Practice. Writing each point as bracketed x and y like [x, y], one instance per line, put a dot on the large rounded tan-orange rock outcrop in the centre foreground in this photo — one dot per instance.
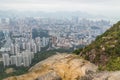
[58, 67]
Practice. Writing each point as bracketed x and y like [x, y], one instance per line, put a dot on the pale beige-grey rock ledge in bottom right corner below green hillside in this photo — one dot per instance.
[105, 75]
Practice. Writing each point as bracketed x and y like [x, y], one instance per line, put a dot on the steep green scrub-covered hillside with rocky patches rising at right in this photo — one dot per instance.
[105, 50]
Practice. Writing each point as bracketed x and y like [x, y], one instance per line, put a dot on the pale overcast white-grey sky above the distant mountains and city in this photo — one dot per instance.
[104, 7]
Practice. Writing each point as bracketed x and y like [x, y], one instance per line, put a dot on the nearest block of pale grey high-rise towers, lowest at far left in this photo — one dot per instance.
[21, 59]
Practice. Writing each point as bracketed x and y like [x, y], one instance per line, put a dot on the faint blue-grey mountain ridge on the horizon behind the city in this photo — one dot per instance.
[59, 14]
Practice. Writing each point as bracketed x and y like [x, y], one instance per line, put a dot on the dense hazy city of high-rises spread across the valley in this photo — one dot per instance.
[24, 37]
